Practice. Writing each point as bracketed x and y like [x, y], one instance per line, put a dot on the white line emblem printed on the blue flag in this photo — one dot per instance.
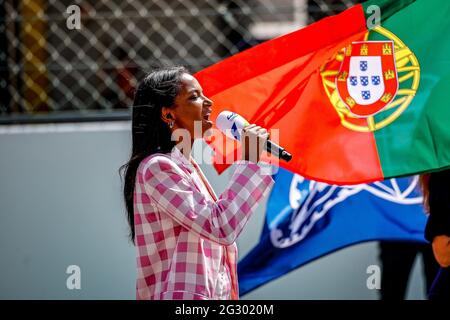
[310, 203]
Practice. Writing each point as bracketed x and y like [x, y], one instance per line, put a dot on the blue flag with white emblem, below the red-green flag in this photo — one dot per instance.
[306, 220]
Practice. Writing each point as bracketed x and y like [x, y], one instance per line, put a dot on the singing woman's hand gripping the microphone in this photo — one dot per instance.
[253, 139]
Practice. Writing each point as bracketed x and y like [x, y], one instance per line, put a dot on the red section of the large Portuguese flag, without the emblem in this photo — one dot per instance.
[278, 85]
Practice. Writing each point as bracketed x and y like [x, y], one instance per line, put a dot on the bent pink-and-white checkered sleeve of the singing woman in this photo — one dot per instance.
[222, 221]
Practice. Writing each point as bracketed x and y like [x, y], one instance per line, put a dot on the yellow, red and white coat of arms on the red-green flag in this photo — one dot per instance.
[370, 83]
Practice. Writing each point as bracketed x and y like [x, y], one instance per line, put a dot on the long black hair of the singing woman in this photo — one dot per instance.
[149, 133]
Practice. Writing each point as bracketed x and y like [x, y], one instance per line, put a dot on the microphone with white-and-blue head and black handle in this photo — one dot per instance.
[231, 124]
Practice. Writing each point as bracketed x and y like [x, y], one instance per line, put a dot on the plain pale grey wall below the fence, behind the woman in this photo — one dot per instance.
[61, 205]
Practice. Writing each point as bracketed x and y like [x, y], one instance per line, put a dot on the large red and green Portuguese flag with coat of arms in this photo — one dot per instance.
[357, 97]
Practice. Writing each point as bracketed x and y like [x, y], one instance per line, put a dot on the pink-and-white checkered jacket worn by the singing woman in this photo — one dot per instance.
[185, 236]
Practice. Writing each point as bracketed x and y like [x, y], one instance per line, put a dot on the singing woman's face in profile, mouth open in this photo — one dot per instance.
[191, 106]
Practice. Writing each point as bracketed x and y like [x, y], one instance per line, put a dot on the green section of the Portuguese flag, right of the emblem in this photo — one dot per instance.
[419, 139]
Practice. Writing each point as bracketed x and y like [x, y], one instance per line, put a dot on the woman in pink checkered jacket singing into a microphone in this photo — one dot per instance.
[184, 234]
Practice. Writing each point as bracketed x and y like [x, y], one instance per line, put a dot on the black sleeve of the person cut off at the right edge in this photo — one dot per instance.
[439, 200]
